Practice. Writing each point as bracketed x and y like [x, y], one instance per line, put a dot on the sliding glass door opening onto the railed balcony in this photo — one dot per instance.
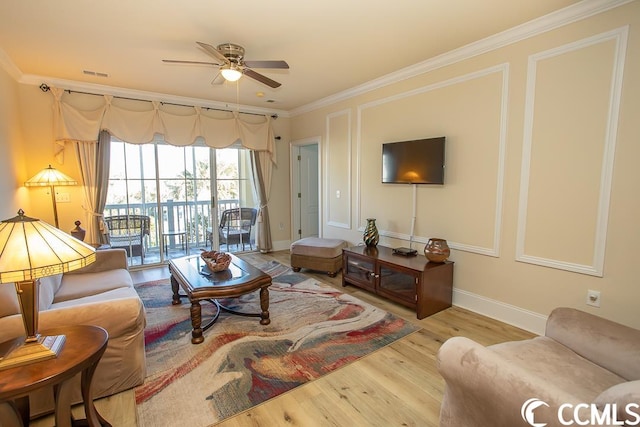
[183, 192]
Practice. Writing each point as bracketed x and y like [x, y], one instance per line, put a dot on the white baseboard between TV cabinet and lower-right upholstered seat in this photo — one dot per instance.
[516, 316]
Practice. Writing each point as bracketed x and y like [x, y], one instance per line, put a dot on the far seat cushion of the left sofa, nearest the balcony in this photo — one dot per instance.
[75, 286]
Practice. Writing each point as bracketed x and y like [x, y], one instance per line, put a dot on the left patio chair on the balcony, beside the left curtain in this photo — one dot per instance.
[128, 232]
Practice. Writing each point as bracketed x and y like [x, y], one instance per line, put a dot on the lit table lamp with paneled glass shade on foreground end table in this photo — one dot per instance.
[31, 249]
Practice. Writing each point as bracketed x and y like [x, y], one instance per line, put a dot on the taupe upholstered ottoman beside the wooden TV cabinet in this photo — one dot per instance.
[319, 254]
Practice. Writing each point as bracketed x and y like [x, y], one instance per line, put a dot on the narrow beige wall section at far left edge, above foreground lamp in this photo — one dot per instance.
[12, 171]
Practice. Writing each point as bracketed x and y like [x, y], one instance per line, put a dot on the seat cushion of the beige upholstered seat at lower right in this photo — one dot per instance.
[558, 365]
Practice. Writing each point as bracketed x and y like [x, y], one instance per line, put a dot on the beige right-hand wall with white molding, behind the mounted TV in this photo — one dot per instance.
[540, 202]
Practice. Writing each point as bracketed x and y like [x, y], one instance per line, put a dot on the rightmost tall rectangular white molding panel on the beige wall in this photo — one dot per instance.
[571, 118]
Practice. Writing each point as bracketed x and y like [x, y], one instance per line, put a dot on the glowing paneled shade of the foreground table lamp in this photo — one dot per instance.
[30, 249]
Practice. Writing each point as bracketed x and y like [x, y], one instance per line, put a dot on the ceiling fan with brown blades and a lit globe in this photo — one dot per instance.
[232, 65]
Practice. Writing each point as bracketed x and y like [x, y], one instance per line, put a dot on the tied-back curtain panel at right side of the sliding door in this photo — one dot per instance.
[261, 168]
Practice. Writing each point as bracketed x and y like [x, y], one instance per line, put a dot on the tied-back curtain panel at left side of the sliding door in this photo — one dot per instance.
[93, 159]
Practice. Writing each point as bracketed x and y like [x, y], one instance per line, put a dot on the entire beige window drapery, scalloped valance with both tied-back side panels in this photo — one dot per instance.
[137, 122]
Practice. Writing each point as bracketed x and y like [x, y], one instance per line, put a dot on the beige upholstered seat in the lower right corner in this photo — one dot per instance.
[583, 361]
